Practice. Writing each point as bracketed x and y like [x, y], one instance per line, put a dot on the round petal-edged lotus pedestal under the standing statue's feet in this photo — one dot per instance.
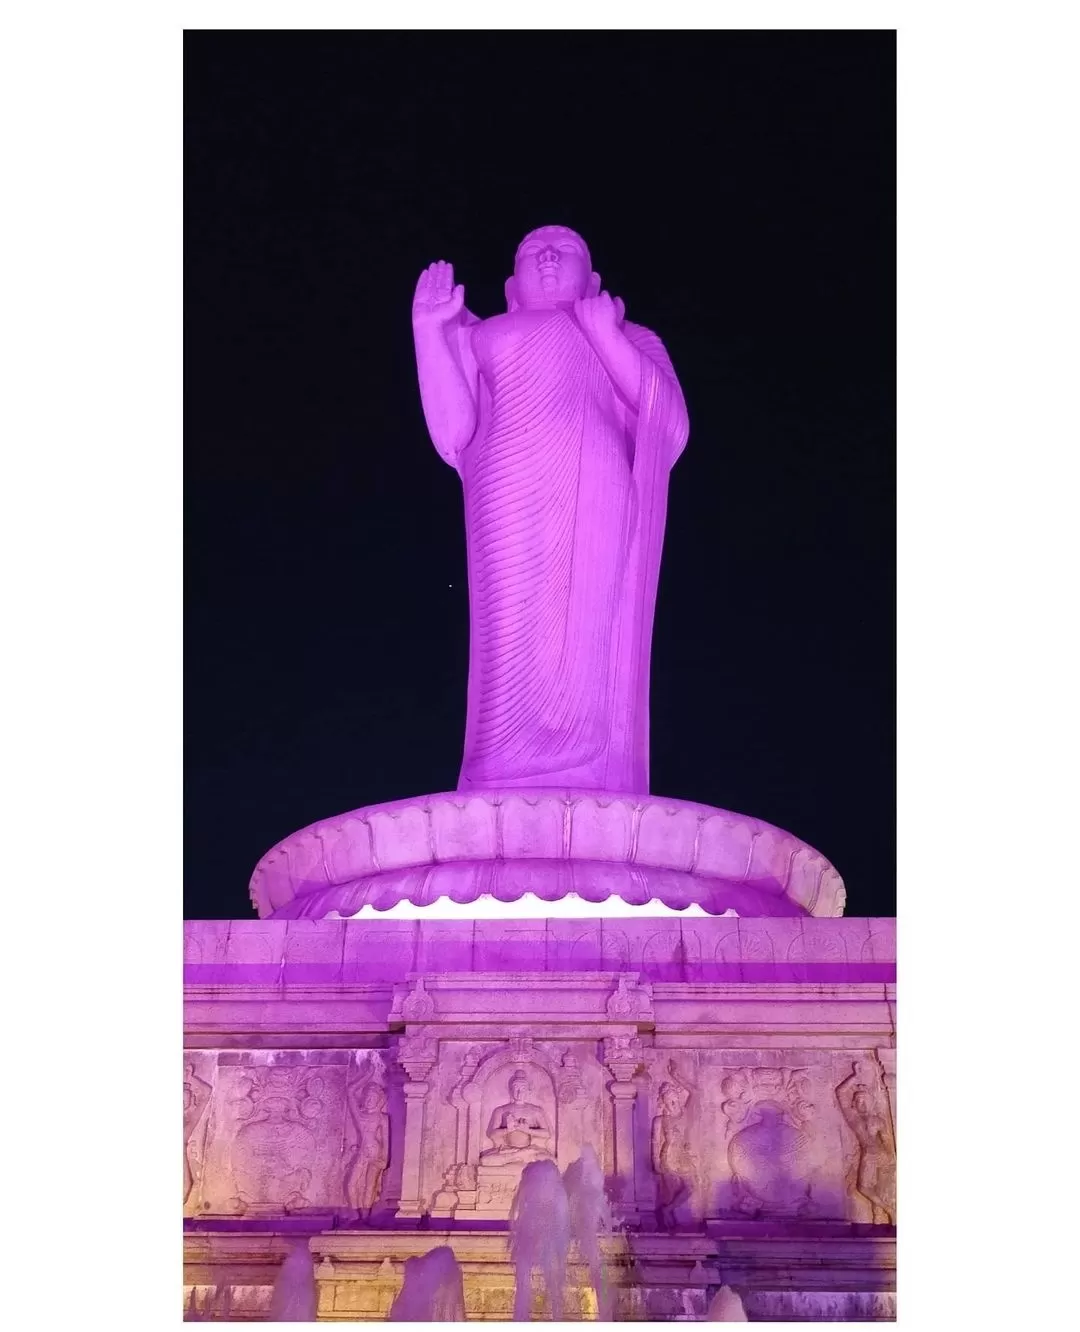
[500, 845]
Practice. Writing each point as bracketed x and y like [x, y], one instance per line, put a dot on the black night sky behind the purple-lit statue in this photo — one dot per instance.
[737, 190]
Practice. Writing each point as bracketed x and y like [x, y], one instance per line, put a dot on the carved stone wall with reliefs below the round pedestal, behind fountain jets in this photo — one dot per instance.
[736, 1077]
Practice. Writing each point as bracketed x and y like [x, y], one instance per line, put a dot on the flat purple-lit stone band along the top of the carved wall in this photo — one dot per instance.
[774, 950]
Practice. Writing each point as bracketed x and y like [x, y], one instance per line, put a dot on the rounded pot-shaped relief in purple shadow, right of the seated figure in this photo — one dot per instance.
[770, 1150]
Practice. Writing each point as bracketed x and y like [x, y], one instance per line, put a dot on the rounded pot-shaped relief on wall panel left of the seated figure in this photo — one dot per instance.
[274, 1149]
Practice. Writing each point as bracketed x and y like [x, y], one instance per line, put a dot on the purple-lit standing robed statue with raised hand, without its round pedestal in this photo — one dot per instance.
[564, 422]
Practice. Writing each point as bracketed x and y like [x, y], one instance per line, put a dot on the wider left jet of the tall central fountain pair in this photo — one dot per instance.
[540, 1238]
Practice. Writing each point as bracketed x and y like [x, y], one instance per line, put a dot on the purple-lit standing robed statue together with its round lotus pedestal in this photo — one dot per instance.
[564, 422]
